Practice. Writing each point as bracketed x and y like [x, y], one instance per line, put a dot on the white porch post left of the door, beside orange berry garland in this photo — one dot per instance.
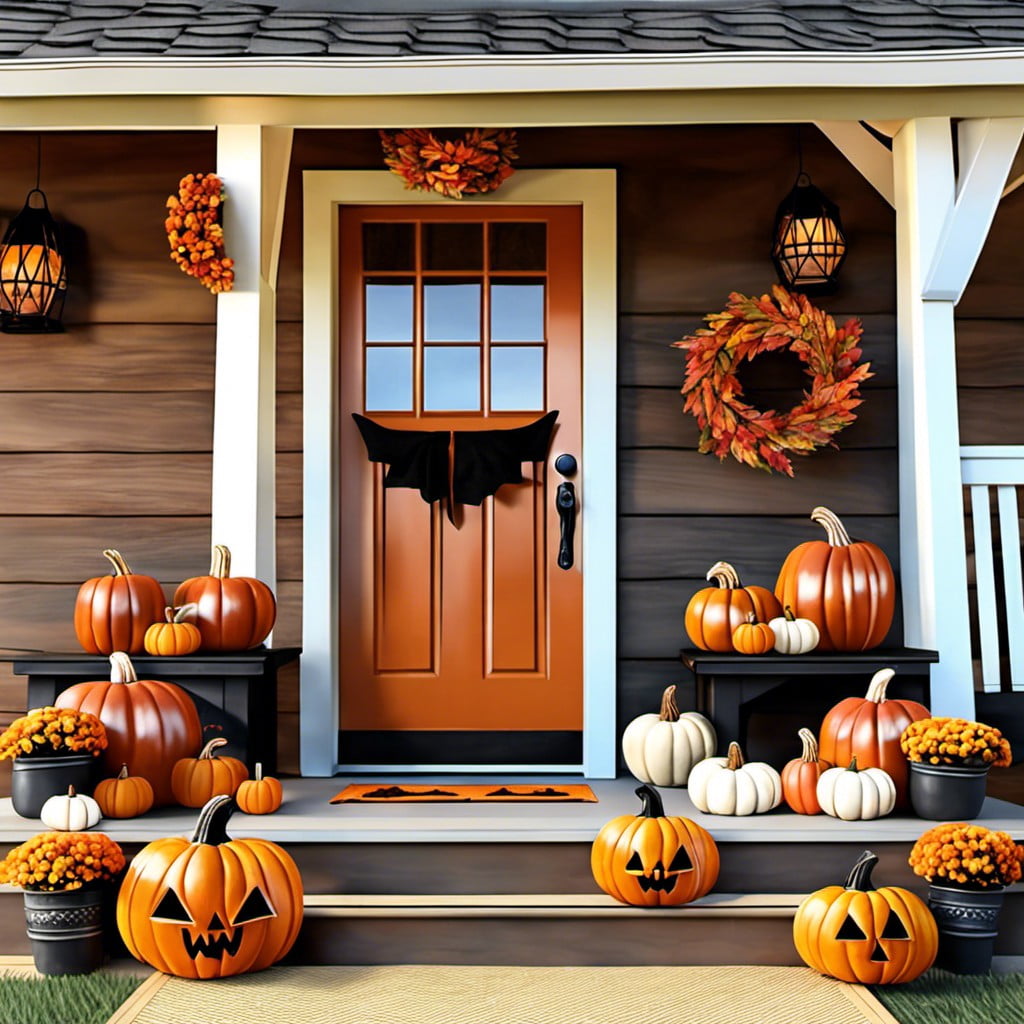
[252, 161]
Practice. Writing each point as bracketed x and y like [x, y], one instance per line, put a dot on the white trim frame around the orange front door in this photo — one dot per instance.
[324, 192]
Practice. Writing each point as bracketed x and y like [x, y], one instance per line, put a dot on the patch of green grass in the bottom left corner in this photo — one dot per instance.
[73, 999]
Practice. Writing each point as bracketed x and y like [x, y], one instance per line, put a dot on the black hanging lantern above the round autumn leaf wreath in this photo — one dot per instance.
[808, 244]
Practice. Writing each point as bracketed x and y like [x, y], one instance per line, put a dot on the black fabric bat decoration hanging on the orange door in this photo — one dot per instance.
[483, 460]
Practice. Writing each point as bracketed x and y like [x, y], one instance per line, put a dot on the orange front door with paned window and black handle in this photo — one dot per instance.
[460, 642]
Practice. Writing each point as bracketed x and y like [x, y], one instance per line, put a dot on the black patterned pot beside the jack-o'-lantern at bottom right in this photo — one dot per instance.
[968, 924]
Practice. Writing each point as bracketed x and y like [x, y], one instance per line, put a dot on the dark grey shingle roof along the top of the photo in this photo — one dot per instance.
[33, 29]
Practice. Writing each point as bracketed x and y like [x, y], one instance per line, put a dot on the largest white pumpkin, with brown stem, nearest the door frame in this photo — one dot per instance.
[663, 749]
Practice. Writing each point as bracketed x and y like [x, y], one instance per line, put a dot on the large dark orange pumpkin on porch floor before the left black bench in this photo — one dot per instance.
[150, 723]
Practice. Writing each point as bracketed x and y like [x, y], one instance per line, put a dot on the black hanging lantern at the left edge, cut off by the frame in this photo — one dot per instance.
[33, 276]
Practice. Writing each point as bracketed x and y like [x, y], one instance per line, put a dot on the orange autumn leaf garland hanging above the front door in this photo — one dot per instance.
[479, 162]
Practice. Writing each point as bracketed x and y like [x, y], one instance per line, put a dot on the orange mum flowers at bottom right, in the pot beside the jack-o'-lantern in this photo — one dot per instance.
[972, 857]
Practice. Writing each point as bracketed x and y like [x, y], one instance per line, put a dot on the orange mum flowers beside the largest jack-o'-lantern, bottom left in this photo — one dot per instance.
[58, 861]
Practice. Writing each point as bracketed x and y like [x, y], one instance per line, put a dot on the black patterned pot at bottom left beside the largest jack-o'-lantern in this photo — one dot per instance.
[66, 930]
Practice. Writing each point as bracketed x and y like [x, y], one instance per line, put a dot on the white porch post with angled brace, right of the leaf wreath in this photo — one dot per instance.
[942, 225]
